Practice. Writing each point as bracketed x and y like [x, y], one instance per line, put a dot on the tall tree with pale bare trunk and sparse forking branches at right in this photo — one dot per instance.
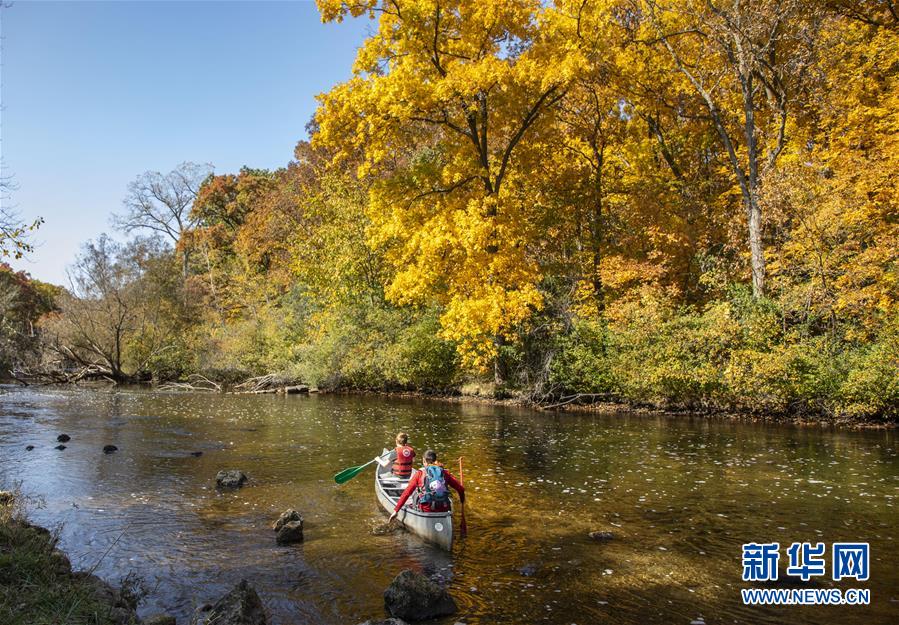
[745, 61]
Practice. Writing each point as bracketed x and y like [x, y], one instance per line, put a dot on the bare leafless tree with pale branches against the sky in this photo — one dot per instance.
[162, 204]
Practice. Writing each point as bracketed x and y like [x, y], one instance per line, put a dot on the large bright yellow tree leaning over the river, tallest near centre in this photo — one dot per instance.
[446, 100]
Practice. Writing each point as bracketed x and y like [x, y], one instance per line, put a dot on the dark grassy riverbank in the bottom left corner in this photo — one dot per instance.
[39, 587]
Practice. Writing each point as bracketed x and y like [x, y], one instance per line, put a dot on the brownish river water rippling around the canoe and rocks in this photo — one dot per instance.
[681, 496]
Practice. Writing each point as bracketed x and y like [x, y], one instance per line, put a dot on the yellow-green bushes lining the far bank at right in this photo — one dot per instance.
[731, 354]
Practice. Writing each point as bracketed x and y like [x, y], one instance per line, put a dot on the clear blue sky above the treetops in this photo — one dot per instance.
[96, 93]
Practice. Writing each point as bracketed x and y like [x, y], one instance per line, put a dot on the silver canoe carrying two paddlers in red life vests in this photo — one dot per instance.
[434, 527]
